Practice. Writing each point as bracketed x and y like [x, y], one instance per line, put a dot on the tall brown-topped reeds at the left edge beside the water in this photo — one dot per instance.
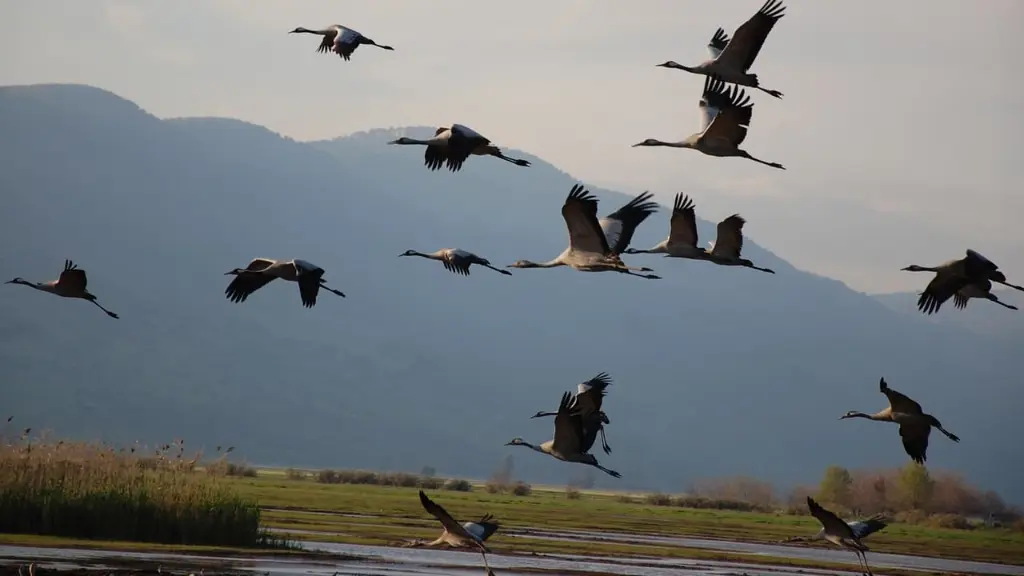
[91, 490]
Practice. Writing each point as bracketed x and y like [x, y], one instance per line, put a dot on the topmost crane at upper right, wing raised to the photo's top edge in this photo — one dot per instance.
[732, 60]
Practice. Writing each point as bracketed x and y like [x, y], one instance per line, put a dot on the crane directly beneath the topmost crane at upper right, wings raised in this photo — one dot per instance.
[726, 119]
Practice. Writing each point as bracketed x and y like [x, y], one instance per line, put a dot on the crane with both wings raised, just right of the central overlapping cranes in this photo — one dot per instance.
[682, 240]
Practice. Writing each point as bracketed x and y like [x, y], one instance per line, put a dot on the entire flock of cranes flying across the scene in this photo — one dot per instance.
[596, 245]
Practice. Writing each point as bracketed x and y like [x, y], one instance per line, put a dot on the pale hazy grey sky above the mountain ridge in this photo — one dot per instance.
[898, 125]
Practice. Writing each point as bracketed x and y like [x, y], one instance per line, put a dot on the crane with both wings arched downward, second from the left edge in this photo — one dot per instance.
[262, 272]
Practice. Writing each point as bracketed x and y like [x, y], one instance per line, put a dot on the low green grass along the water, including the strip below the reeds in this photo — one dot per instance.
[362, 514]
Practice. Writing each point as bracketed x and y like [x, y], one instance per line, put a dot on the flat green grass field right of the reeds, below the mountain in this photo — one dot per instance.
[395, 515]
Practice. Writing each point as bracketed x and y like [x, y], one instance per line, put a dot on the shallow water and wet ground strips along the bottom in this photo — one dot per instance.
[356, 560]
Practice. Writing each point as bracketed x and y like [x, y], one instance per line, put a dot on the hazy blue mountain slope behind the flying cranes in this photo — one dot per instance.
[717, 372]
